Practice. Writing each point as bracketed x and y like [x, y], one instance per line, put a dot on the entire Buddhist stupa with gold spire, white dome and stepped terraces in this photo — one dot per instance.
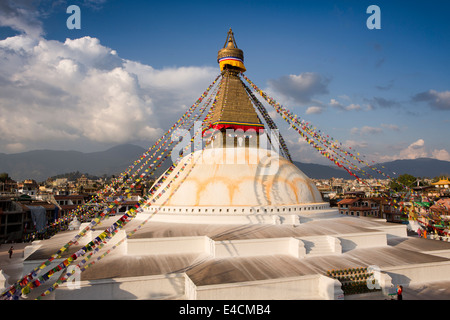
[241, 221]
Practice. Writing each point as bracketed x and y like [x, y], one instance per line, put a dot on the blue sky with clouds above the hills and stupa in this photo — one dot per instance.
[383, 92]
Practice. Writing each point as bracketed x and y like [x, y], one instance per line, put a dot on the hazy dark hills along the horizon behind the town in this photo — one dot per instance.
[41, 164]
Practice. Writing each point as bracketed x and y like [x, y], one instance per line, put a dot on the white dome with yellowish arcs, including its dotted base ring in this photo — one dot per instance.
[229, 182]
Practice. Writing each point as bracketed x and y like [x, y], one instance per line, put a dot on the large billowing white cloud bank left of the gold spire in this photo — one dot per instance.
[80, 90]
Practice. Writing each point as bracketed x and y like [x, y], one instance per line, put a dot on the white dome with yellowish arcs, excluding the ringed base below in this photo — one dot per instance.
[238, 177]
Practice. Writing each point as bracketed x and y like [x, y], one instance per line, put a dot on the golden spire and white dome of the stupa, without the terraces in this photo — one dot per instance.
[237, 177]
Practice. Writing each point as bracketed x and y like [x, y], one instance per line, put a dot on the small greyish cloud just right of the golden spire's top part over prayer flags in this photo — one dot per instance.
[300, 88]
